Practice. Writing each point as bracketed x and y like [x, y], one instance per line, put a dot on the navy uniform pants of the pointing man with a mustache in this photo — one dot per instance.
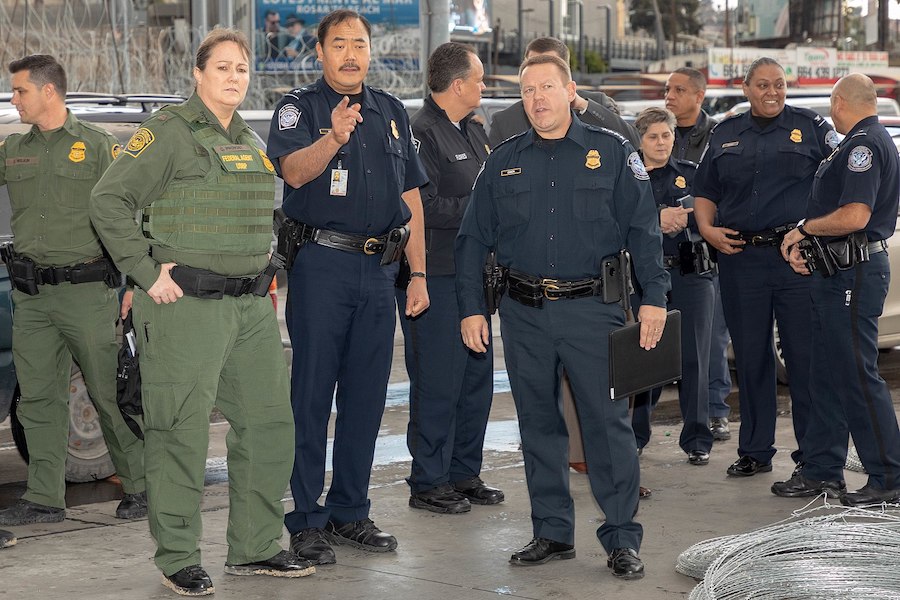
[341, 314]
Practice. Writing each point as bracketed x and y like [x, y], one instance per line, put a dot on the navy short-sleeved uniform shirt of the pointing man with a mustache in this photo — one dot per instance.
[380, 159]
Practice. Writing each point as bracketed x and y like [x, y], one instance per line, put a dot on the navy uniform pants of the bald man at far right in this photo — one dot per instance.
[850, 394]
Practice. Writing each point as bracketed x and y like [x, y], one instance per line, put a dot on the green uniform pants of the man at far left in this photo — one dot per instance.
[50, 328]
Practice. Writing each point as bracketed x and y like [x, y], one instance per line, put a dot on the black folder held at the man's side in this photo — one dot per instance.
[633, 370]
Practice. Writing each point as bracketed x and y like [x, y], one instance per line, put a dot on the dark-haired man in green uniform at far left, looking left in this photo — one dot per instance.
[66, 304]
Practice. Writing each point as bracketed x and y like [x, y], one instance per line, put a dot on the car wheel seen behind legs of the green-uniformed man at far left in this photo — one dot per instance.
[88, 458]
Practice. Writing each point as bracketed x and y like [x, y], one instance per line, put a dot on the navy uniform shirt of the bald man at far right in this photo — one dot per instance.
[865, 168]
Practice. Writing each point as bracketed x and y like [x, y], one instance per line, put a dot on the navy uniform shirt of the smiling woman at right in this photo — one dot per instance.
[761, 178]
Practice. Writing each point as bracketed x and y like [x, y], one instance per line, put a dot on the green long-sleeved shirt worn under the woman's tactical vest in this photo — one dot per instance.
[162, 151]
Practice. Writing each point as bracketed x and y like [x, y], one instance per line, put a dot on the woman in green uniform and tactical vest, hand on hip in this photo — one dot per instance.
[207, 335]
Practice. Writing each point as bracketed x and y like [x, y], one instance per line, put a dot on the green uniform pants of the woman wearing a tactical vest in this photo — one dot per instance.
[196, 354]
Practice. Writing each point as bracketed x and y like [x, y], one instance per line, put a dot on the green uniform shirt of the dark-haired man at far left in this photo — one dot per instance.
[50, 177]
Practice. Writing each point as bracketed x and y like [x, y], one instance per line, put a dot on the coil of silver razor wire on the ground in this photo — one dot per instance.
[848, 554]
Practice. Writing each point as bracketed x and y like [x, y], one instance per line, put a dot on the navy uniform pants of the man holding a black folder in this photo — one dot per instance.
[538, 343]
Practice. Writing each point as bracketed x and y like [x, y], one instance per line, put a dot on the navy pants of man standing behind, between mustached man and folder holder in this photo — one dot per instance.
[450, 391]
